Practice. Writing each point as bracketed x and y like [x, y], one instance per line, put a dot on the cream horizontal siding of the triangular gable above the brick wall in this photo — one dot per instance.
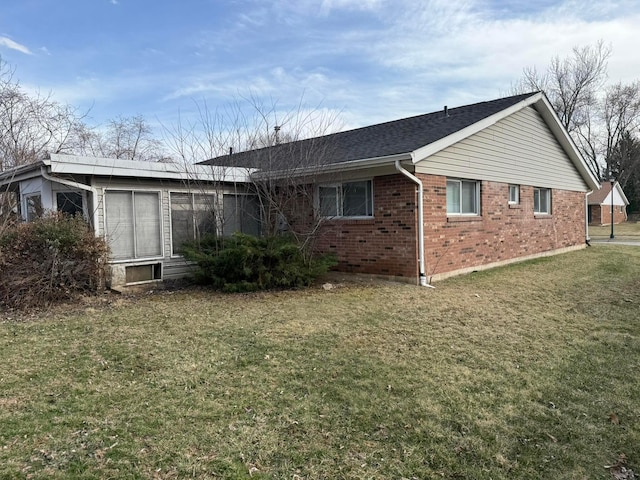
[519, 149]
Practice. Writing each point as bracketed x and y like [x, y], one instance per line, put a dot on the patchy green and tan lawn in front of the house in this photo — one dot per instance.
[528, 371]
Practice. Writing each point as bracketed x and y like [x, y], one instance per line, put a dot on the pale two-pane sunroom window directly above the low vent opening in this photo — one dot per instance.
[133, 224]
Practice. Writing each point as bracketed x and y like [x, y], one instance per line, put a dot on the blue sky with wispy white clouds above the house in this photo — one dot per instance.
[366, 61]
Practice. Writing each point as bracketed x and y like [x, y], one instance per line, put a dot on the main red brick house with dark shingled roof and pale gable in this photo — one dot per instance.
[449, 192]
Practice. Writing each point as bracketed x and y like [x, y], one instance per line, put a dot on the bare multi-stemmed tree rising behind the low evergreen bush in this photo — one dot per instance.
[285, 149]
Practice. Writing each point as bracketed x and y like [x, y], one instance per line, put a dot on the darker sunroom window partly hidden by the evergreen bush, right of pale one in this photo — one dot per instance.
[192, 216]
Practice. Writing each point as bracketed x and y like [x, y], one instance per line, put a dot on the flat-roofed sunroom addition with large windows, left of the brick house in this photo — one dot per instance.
[145, 210]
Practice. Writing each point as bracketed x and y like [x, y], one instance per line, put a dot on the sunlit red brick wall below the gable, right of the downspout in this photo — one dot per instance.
[502, 232]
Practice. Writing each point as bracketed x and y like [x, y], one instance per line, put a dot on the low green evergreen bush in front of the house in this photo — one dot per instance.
[243, 263]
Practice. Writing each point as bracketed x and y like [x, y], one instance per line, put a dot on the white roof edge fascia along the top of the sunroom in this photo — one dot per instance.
[112, 167]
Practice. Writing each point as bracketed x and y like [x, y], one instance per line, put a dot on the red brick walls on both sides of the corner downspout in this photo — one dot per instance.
[387, 244]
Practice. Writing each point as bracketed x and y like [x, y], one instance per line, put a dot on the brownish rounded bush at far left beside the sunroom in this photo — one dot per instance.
[51, 259]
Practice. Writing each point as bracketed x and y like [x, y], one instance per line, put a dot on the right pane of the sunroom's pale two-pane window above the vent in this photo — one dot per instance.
[147, 218]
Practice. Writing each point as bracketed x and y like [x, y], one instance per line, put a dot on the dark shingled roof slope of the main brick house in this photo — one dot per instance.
[384, 139]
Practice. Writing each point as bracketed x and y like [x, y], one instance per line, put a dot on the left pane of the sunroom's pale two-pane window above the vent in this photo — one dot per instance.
[119, 223]
